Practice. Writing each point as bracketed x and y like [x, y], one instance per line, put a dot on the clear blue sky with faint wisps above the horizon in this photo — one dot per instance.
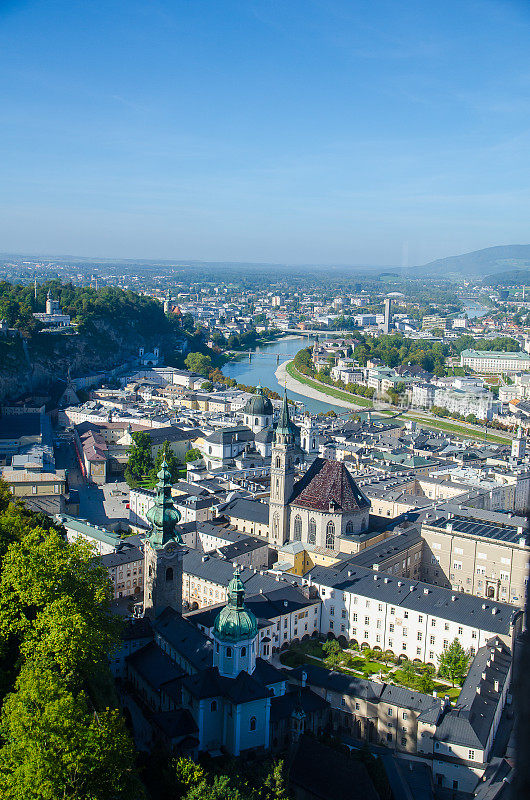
[322, 131]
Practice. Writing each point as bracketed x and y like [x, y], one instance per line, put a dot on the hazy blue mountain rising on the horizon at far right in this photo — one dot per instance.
[492, 261]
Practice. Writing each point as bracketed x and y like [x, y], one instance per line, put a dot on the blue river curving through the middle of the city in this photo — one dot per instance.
[264, 365]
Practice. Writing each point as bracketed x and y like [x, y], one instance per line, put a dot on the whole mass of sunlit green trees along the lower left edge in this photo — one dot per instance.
[61, 735]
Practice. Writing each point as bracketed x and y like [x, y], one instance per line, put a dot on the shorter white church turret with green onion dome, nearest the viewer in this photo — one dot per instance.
[235, 633]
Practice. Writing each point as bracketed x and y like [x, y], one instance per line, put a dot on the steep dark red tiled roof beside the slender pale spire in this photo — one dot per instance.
[328, 482]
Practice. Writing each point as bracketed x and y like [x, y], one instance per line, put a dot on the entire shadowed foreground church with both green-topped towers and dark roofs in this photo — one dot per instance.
[200, 694]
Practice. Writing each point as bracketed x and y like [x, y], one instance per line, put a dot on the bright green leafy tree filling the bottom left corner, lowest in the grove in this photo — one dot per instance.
[56, 745]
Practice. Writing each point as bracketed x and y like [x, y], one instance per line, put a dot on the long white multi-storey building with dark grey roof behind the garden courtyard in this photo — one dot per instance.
[407, 617]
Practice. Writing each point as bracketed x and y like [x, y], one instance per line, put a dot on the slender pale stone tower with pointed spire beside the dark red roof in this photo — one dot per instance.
[282, 477]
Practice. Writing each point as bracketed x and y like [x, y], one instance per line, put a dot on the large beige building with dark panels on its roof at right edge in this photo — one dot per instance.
[485, 555]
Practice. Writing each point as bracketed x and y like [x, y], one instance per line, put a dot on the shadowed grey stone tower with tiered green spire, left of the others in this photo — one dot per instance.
[163, 551]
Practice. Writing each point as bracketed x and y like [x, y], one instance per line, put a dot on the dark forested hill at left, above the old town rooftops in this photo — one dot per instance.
[111, 325]
